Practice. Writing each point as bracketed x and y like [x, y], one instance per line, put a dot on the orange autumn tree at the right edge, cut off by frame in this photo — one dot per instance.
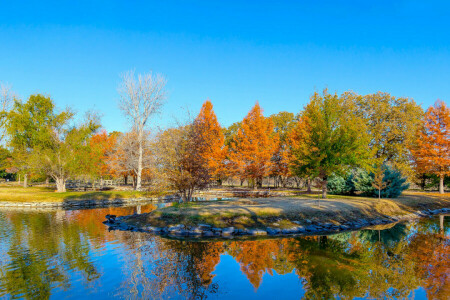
[432, 149]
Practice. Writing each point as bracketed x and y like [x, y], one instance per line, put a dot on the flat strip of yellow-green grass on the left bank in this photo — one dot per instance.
[43, 194]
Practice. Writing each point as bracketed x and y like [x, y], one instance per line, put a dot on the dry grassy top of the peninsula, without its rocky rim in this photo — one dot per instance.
[285, 212]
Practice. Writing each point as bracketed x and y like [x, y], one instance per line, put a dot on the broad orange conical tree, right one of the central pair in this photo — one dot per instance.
[253, 147]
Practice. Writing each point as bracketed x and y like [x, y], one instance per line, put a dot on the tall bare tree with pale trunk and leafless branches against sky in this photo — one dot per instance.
[140, 99]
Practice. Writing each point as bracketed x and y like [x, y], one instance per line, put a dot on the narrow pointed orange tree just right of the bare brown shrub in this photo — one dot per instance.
[213, 148]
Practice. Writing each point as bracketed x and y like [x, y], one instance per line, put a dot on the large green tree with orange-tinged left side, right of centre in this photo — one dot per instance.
[331, 138]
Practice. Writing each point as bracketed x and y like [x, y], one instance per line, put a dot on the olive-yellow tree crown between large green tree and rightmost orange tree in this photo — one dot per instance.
[391, 123]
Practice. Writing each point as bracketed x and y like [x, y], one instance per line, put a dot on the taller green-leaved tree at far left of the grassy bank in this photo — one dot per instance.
[31, 126]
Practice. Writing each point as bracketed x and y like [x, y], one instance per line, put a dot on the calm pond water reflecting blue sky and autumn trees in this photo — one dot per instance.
[71, 254]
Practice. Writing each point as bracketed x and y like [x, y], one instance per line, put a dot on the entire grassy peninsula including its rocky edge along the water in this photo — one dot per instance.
[278, 216]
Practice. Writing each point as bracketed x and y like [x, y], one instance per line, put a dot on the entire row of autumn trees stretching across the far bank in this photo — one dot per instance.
[334, 139]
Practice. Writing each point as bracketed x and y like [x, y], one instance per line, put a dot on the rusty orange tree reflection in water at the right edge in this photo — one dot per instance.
[431, 253]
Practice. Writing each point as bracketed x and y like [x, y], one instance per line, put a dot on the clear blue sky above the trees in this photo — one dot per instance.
[232, 52]
